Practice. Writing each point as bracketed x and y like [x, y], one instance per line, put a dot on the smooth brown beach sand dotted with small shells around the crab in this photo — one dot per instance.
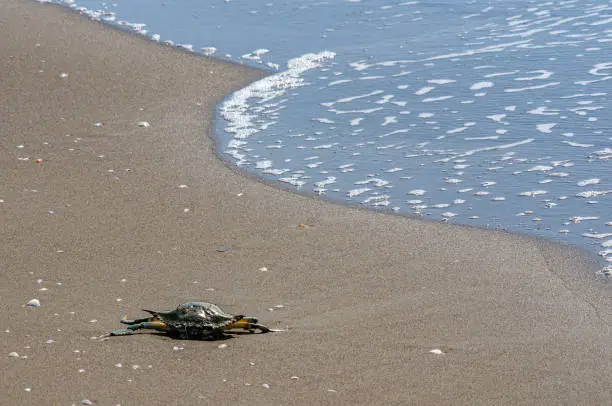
[366, 296]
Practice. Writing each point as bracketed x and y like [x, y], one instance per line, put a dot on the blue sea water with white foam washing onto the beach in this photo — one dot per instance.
[491, 113]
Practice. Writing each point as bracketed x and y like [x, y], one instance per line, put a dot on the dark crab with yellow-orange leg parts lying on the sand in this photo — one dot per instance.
[194, 320]
